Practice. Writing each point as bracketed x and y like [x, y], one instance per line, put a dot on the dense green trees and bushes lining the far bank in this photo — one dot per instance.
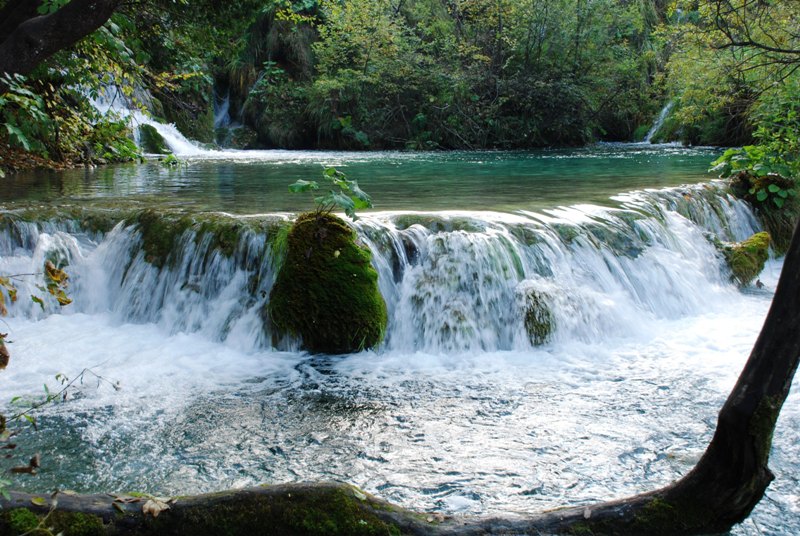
[418, 74]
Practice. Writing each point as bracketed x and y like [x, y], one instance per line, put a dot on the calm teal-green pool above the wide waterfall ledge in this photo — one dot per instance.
[248, 182]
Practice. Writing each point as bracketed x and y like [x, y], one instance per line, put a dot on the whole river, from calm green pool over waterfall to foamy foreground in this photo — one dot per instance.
[459, 411]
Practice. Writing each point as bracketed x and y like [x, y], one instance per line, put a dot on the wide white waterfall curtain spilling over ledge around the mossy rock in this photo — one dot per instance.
[453, 282]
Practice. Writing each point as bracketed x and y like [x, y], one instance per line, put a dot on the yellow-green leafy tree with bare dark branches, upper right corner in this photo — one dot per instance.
[728, 58]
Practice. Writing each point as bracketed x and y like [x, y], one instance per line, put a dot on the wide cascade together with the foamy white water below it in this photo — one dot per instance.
[531, 359]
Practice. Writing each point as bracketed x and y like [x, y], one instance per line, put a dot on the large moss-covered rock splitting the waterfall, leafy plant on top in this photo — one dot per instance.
[326, 292]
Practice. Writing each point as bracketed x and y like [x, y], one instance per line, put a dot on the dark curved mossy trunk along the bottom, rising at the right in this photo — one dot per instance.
[719, 492]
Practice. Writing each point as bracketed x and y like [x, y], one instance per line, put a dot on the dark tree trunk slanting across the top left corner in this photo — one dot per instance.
[34, 38]
